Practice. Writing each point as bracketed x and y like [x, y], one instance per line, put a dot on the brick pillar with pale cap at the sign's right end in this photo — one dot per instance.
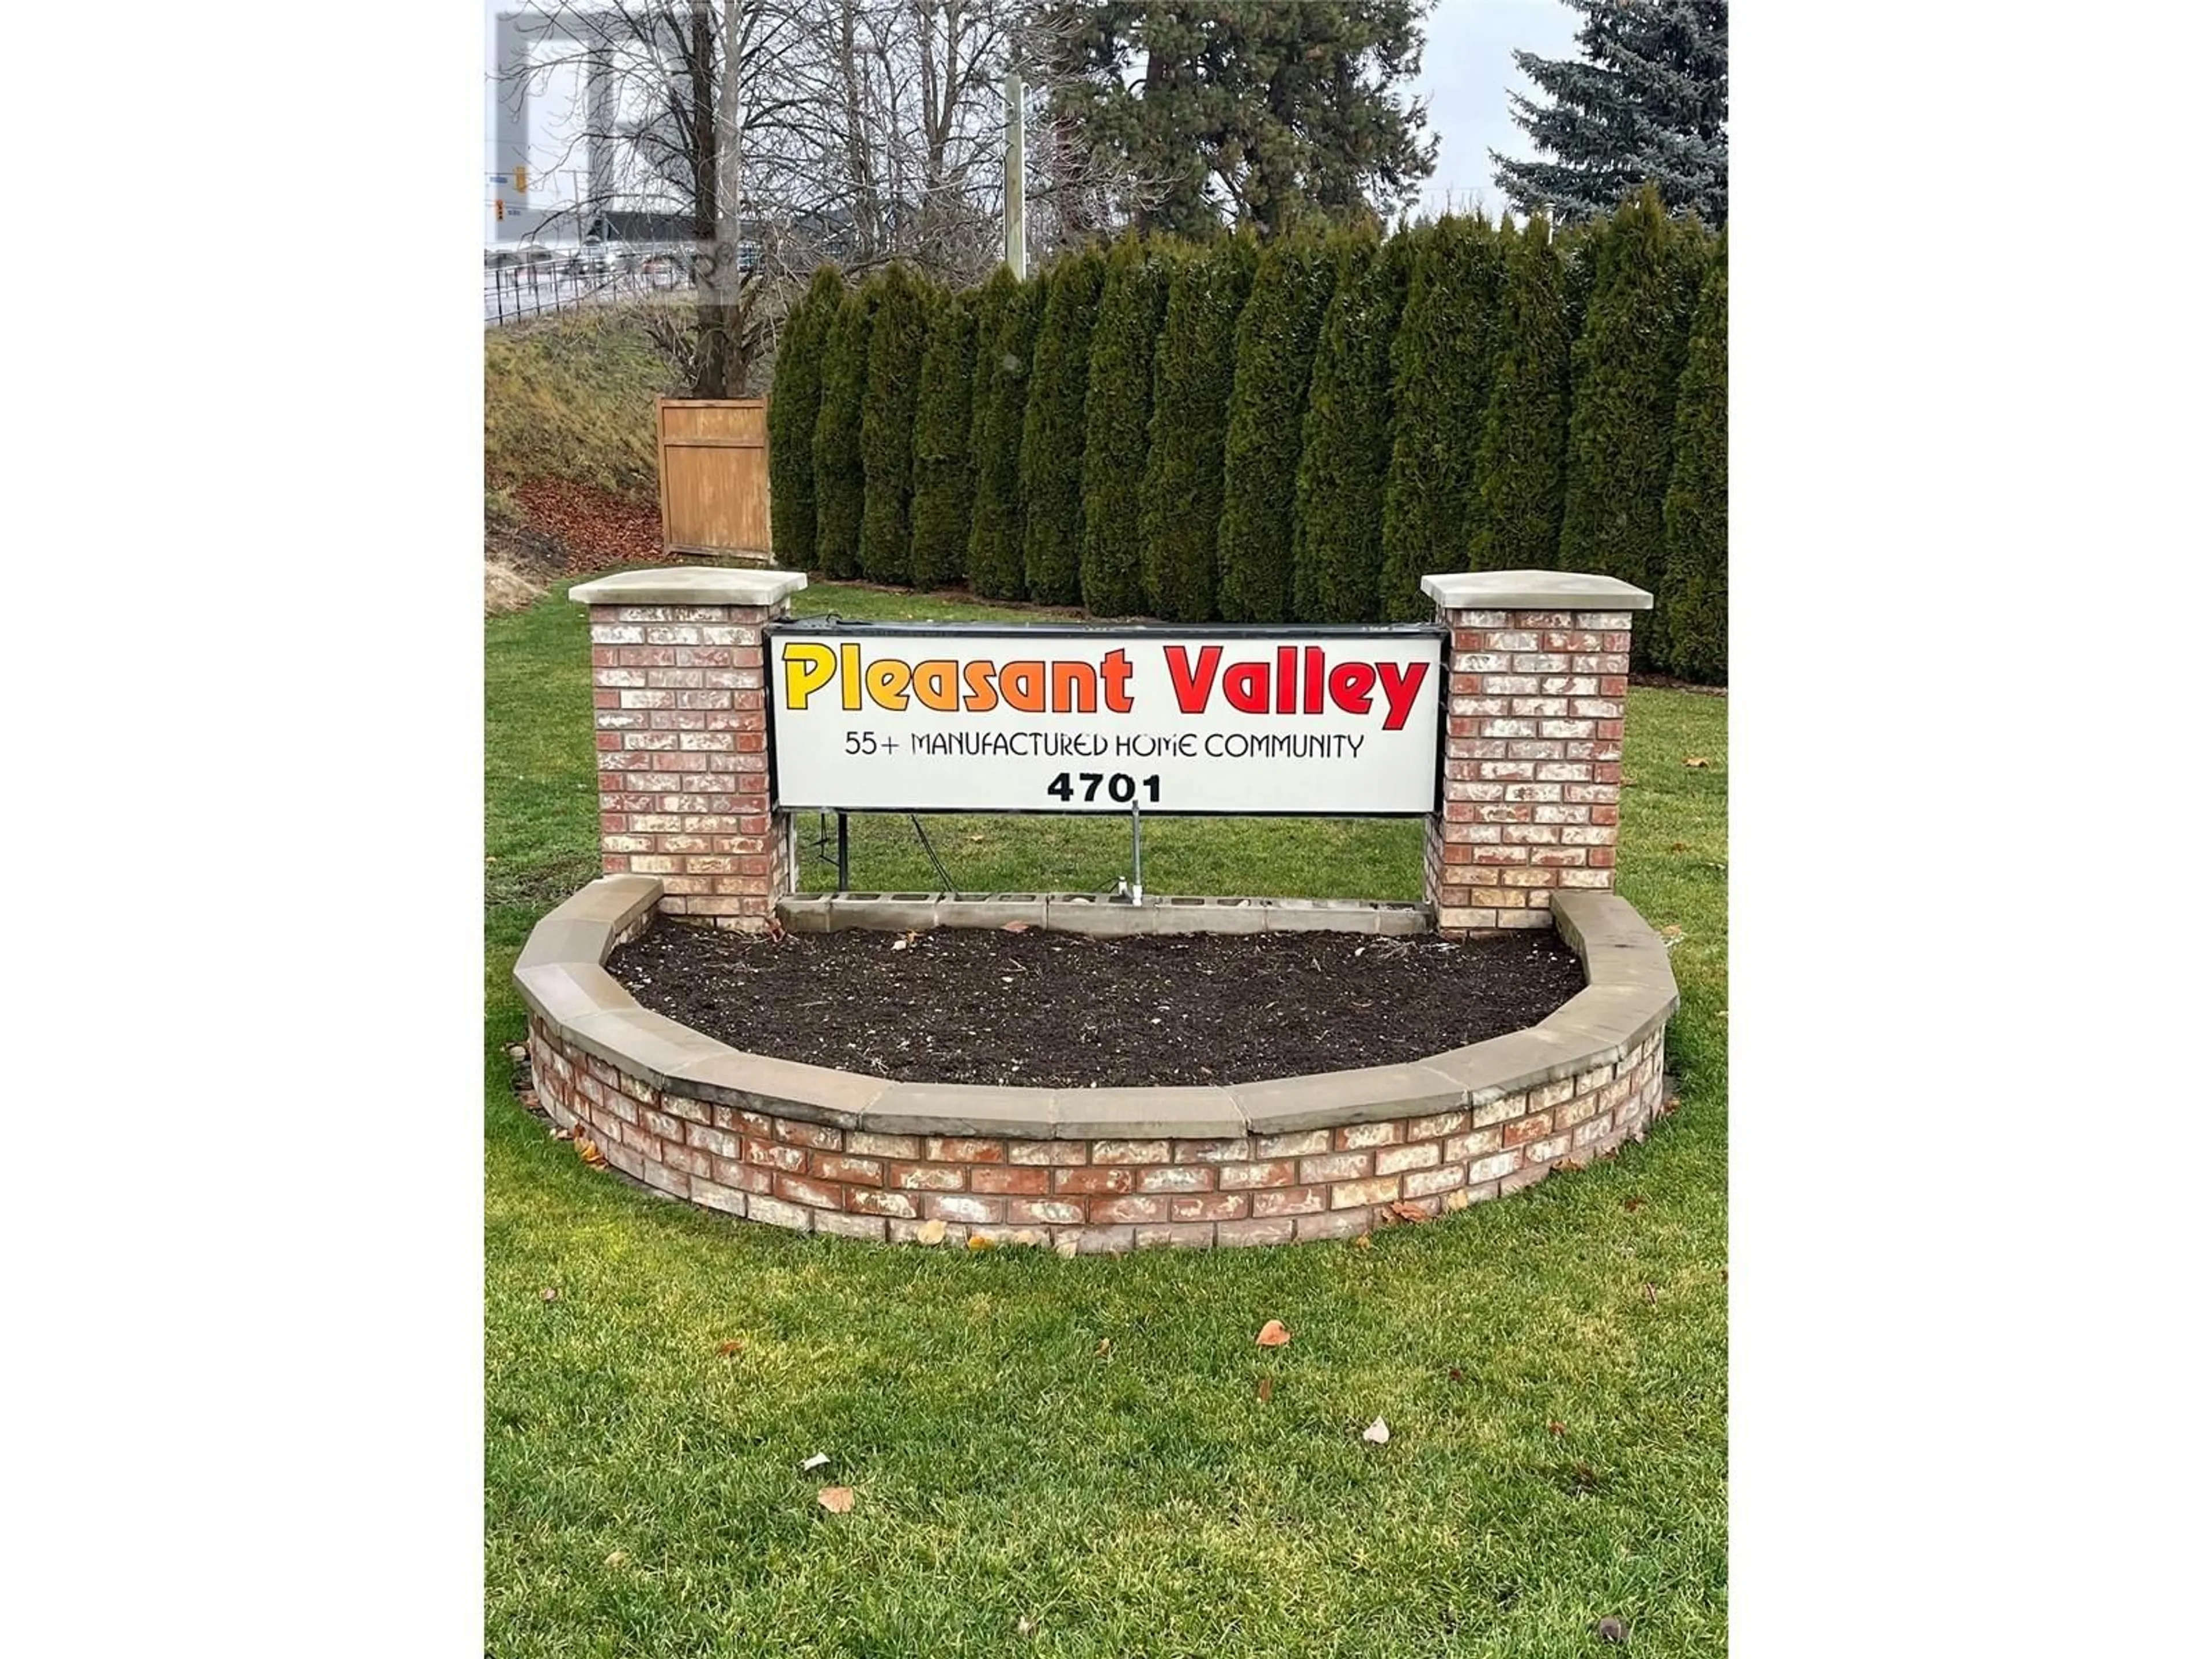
[1532, 744]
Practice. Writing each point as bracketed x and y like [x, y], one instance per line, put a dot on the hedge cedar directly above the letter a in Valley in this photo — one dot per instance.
[1260, 463]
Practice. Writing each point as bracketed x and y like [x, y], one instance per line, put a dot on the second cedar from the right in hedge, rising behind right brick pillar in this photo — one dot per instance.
[1620, 439]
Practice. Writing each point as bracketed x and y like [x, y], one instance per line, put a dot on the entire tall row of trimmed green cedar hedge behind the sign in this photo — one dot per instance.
[1227, 432]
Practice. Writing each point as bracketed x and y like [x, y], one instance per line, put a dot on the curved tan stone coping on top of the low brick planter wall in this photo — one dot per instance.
[563, 977]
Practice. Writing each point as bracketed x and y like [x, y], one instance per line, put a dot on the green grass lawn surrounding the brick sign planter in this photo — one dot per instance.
[1072, 1457]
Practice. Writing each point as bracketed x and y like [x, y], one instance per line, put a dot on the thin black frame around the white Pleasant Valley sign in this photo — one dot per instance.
[1092, 632]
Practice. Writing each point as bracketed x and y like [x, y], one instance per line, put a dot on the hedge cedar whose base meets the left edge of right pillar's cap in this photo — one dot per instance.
[1443, 359]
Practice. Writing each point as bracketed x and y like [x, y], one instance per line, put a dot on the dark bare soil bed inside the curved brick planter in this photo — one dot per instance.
[1067, 1012]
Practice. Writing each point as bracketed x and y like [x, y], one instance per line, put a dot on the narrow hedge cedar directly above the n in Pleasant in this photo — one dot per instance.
[1054, 432]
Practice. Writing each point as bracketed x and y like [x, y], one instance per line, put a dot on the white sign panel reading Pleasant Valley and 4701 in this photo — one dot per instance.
[1092, 720]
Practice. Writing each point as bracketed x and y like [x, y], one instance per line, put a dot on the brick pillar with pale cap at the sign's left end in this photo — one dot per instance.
[680, 705]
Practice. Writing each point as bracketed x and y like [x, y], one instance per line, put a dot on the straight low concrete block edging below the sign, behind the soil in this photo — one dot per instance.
[1096, 917]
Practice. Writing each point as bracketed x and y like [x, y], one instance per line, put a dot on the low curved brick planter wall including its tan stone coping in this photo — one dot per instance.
[1089, 1169]
